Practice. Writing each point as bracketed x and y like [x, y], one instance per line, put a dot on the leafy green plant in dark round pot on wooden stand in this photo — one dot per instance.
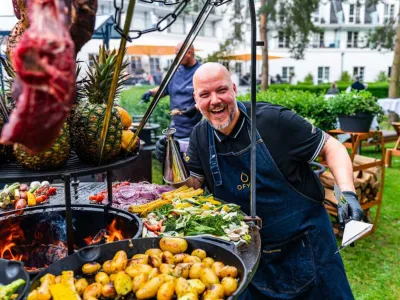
[355, 110]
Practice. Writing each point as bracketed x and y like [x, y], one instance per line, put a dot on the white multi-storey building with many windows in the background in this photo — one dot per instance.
[341, 46]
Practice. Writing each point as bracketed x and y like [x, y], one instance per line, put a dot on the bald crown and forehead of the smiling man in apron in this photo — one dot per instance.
[210, 72]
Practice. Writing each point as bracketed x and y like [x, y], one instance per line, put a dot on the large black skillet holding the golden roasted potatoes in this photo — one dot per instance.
[217, 249]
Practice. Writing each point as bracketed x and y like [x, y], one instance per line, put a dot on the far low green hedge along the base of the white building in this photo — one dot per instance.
[379, 90]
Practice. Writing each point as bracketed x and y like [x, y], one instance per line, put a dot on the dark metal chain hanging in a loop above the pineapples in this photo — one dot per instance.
[163, 24]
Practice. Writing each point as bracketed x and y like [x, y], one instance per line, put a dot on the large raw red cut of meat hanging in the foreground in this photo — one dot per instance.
[44, 61]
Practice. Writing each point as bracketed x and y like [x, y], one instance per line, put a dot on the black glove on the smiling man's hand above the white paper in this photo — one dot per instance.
[349, 208]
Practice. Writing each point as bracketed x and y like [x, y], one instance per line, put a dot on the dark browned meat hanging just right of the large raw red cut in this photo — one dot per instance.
[83, 19]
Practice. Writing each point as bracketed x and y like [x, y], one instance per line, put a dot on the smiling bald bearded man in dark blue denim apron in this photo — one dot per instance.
[298, 259]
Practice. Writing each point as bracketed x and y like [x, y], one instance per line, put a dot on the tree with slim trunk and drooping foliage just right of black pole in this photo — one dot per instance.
[293, 20]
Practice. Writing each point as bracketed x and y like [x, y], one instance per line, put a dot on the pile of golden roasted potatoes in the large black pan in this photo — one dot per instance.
[164, 273]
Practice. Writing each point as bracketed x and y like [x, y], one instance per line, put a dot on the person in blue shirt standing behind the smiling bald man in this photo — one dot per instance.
[180, 89]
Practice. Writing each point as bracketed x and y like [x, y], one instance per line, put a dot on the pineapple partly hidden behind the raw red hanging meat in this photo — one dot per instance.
[53, 158]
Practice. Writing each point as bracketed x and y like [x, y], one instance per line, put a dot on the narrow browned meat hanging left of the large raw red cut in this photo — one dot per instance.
[21, 12]
